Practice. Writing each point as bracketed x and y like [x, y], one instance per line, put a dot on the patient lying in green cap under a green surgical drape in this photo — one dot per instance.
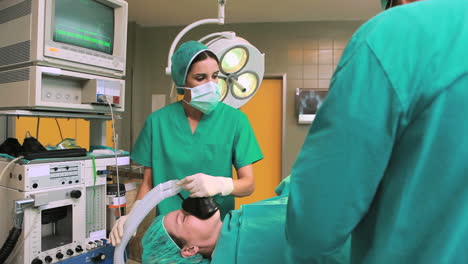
[252, 234]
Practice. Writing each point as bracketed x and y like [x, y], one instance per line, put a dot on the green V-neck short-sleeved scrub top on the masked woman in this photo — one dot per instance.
[222, 139]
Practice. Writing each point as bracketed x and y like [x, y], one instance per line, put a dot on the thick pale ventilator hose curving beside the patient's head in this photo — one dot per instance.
[139, 212]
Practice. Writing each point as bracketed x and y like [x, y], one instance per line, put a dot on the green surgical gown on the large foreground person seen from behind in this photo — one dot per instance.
[386, 159]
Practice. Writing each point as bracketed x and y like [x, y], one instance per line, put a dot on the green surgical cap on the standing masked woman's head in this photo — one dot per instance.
[181, 60]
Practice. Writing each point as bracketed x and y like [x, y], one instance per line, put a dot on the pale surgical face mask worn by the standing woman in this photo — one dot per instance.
[205, 97]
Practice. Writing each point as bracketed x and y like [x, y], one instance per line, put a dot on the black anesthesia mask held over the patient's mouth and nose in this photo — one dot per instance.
[200, 207]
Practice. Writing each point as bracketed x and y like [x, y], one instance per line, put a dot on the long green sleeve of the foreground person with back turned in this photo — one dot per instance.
[342, 161]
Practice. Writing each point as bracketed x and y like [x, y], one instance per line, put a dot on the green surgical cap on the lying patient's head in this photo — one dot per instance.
[159, 248]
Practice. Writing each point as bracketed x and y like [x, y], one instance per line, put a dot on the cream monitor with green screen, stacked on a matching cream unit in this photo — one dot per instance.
[63, 55]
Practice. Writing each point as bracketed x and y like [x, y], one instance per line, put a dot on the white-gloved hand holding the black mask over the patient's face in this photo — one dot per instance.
[202, 185]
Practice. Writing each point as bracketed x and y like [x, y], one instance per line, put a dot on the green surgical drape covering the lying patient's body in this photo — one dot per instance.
[255, 234]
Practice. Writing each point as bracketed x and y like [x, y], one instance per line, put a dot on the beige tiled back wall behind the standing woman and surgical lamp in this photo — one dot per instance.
[307, 52]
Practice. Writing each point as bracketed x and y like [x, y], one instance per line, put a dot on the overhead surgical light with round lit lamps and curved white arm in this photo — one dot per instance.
[242, 66]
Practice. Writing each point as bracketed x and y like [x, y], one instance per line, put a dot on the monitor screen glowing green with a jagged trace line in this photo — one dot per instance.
[84, 23]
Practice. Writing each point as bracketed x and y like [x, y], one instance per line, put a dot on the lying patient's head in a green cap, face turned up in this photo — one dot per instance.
[180, 237]
